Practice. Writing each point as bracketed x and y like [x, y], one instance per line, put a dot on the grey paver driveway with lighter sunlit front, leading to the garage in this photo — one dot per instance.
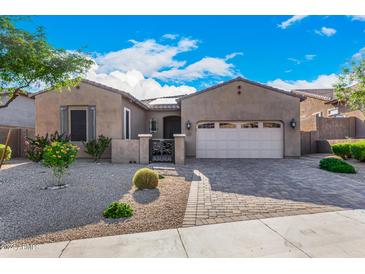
[240, 189]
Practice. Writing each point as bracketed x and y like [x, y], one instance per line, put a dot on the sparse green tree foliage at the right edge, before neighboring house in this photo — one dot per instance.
[350, 88]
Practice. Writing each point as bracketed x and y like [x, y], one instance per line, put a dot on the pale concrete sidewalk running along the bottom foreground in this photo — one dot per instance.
[332, 234]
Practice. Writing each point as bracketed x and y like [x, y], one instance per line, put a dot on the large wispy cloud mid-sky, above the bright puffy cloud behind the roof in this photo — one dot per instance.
[147, 56]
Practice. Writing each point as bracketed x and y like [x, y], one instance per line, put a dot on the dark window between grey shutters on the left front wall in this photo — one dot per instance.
[78, 124]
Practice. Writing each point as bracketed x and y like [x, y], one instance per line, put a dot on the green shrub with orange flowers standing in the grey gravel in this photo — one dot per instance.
[59, 156]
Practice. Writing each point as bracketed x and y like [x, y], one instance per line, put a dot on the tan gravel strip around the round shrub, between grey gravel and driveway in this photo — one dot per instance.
[156, 209]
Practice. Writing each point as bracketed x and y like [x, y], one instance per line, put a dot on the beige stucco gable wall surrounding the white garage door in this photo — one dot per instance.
[254, 103]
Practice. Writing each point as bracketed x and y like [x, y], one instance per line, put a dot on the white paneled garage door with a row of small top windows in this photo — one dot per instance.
[239, 140]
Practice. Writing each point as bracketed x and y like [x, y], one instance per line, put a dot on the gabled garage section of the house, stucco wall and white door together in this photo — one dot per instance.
[241, 119]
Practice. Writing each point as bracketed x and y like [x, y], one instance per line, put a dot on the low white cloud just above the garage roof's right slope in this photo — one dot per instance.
[322, 81]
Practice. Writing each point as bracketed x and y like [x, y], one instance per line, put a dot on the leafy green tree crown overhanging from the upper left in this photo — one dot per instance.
[28, 60]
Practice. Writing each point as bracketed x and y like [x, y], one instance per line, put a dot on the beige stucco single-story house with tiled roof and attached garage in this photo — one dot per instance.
[235, 119]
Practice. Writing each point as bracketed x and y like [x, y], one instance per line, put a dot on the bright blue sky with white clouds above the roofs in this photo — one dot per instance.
[162, 55]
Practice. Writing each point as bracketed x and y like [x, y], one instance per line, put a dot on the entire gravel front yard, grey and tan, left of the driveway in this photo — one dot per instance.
[32, 215]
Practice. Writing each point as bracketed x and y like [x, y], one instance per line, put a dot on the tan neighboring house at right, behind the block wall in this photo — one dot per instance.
[324, 103]
